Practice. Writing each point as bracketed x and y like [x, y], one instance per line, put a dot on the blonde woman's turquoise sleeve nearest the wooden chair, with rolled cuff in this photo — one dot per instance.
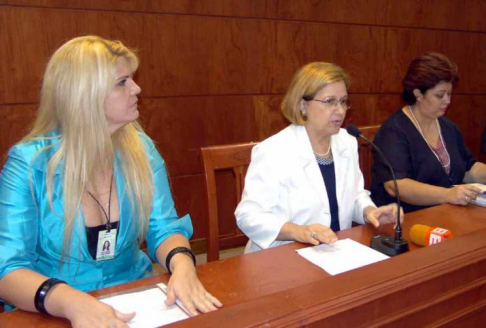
[164, 221]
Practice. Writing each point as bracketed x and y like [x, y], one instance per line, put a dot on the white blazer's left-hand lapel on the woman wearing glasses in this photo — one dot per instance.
[310, 166]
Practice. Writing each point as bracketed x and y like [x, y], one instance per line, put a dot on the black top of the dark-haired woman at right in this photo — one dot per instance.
[411, 157]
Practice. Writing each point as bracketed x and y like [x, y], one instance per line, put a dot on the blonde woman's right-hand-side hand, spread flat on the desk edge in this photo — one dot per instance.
[185, 286]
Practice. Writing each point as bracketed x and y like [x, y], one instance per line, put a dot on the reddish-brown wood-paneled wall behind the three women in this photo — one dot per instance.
[214, 72]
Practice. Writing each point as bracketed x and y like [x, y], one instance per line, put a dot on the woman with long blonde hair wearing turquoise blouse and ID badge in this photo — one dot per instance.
[86, 175]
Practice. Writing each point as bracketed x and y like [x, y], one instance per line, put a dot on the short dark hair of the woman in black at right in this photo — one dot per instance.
[425, 72]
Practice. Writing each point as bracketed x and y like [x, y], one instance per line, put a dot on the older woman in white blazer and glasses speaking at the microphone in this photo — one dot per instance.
[304, 183]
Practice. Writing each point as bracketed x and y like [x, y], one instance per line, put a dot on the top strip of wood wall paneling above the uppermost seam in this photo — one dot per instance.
[430, 14]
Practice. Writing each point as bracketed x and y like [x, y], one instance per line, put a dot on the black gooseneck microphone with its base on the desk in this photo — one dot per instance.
[385, 244]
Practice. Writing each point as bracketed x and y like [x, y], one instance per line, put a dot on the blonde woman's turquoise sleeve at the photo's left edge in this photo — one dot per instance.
[18, 216]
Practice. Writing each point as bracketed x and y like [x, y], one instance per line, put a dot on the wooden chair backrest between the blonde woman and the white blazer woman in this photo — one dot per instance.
[236, 158]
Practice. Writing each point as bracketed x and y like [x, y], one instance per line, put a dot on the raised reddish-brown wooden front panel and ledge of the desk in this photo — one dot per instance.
[391, 292]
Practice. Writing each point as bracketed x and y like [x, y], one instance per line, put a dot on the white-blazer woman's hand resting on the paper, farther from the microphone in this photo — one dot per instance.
[314, 234]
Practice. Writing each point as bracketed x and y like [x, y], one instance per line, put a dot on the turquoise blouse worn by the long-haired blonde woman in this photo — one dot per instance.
[31, 232]
